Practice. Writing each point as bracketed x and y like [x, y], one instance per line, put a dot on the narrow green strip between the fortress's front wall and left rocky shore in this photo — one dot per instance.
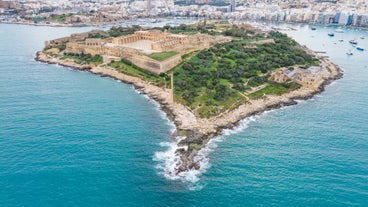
[128, 68]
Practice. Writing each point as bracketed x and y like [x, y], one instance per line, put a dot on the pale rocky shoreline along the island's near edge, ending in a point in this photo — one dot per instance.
[199, 131]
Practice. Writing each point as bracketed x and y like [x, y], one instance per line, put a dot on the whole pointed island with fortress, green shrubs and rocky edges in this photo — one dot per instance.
[206, 77]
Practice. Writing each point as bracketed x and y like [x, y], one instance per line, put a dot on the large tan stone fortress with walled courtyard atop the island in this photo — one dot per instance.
[137, 47]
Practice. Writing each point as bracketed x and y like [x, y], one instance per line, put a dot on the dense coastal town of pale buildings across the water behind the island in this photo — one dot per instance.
[102, 12]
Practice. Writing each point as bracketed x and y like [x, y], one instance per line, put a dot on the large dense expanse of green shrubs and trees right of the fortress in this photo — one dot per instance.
[217, 79]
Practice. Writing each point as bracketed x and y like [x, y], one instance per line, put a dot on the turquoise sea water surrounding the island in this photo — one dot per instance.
[70, 138]
